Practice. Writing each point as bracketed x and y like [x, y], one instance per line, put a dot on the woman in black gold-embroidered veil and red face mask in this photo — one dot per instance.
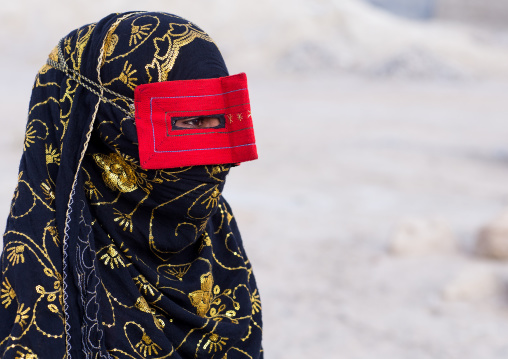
[119, 243]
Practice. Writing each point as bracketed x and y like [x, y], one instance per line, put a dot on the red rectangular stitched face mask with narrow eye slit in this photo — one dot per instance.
[194, 122]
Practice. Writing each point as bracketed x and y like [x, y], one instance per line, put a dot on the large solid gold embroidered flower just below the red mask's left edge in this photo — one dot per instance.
[117, 174]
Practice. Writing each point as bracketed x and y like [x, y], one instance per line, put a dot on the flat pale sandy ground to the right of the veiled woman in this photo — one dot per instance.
[342, 162]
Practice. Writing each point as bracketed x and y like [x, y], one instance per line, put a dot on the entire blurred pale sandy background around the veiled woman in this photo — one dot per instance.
[376, 216]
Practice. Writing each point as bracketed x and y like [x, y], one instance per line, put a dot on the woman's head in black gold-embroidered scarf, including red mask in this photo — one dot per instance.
[113, 57]
